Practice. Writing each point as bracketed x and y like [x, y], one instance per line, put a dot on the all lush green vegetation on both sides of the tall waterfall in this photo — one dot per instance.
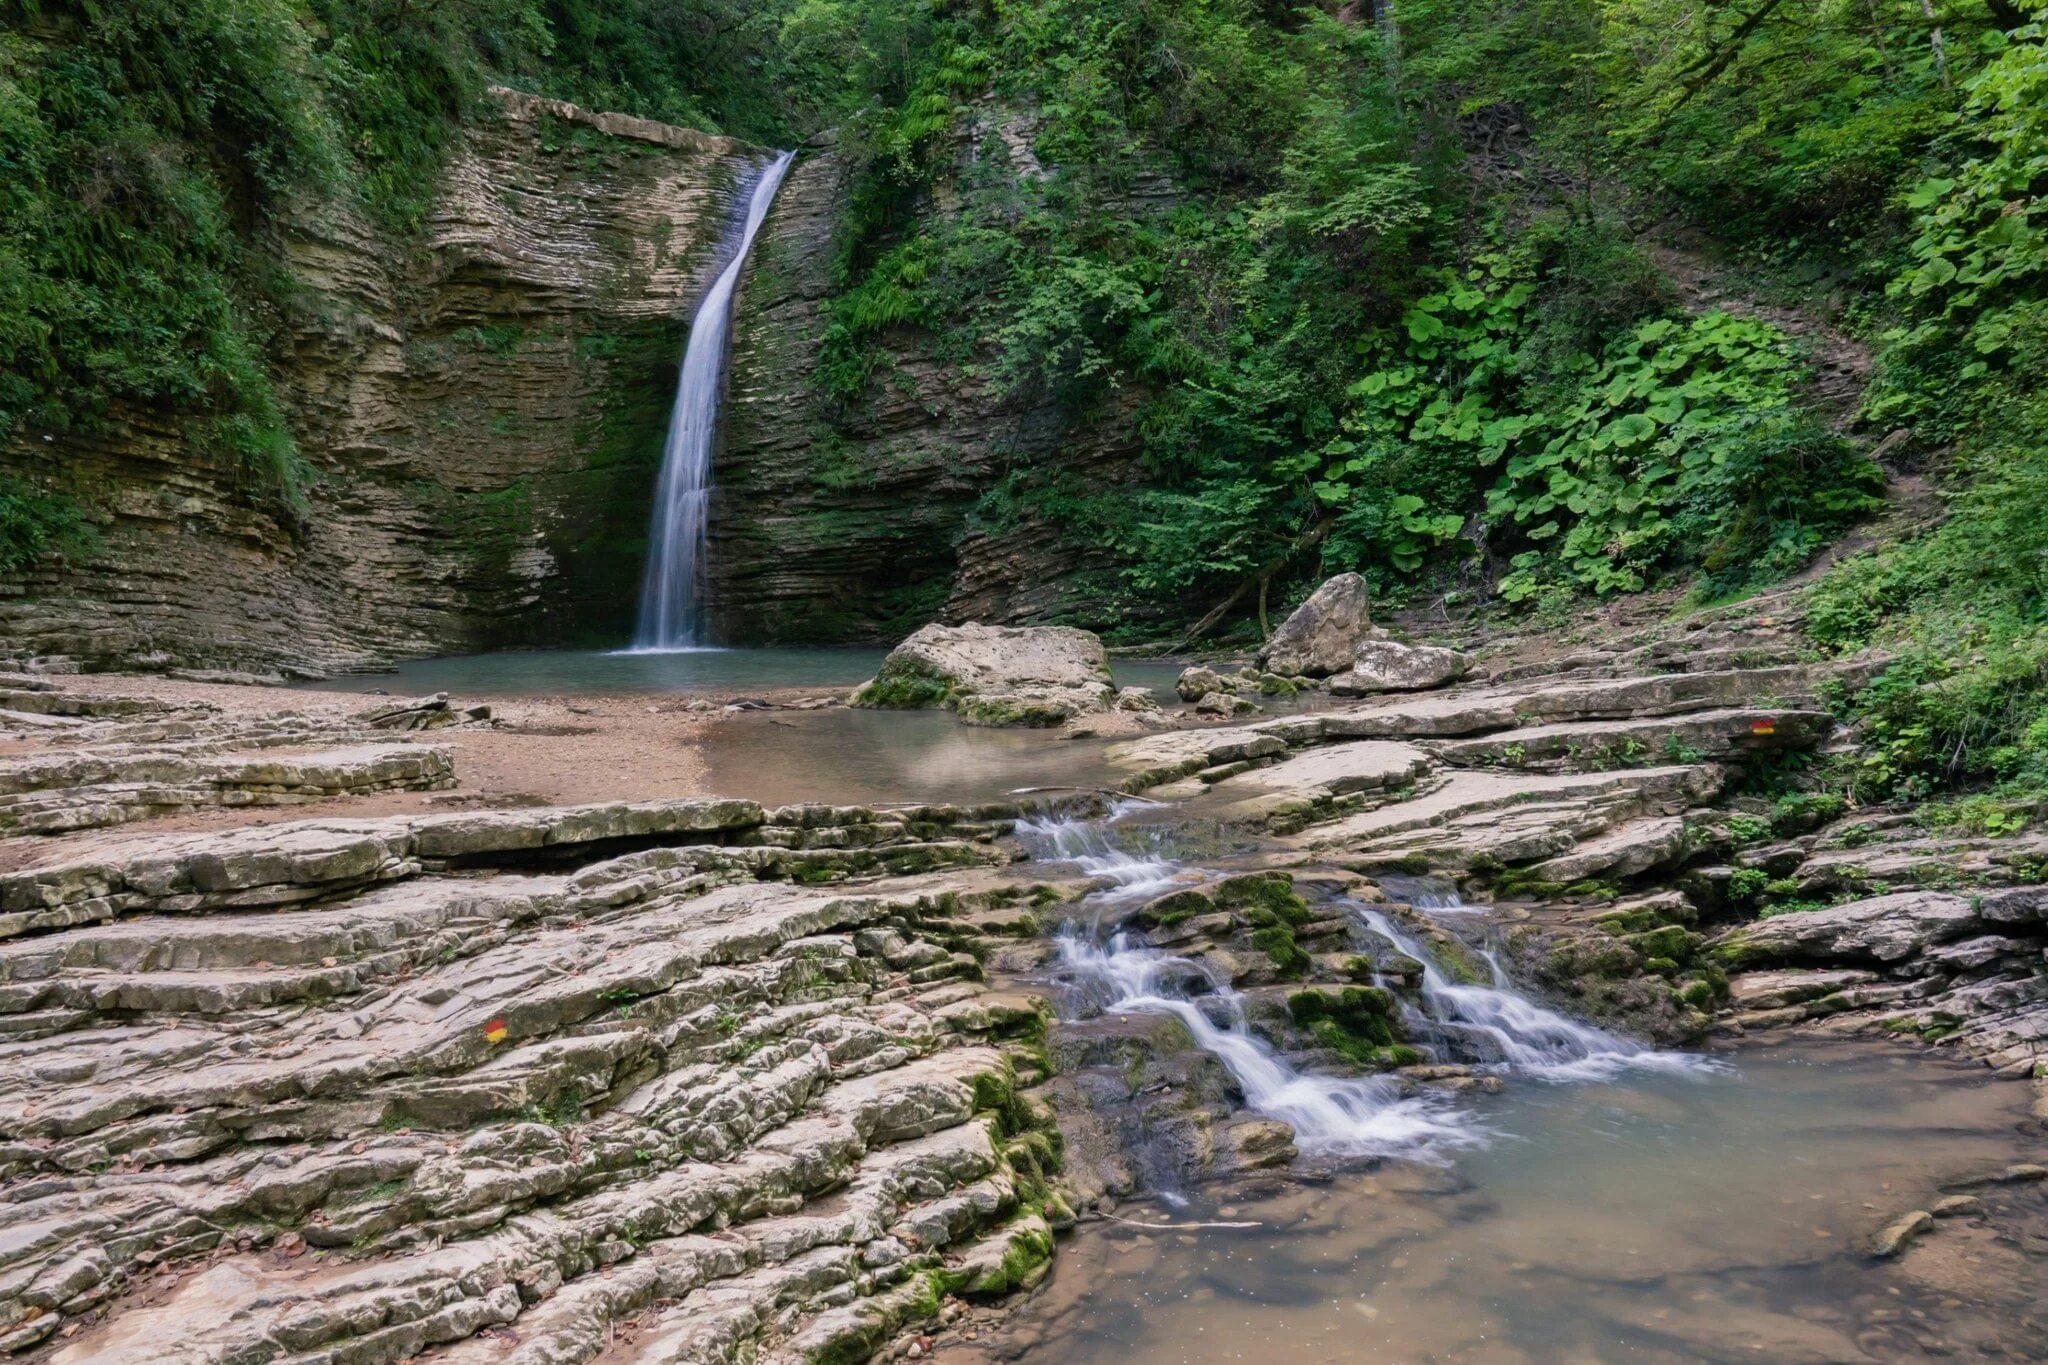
[1371, 288]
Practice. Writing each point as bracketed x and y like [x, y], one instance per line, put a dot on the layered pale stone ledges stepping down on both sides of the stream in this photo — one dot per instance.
[710, 1082]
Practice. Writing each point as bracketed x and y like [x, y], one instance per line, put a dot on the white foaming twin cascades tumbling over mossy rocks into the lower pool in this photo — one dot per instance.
[1342, 1116]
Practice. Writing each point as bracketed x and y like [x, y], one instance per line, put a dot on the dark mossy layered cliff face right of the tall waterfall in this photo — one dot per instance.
[859, 521]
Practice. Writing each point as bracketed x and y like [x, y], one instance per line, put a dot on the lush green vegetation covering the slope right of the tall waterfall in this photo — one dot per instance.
[1402, 308]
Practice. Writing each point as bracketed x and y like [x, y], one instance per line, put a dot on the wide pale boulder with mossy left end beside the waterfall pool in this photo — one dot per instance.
[996, 674]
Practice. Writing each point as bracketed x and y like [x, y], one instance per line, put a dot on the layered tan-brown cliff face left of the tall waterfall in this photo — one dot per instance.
[482, 412]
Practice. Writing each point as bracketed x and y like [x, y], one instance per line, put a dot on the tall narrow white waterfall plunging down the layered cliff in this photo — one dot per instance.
[675, 582]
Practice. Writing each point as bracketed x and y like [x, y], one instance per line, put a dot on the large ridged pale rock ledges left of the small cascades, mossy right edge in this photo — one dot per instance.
[550, 1102]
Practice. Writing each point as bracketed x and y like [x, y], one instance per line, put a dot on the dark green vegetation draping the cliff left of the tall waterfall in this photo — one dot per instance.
[144, 144]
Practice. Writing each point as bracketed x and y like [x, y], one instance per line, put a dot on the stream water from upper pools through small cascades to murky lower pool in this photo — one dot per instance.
[1605, 1202]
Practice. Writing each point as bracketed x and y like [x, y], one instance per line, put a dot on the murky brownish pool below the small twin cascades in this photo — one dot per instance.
[1656, 1219]
